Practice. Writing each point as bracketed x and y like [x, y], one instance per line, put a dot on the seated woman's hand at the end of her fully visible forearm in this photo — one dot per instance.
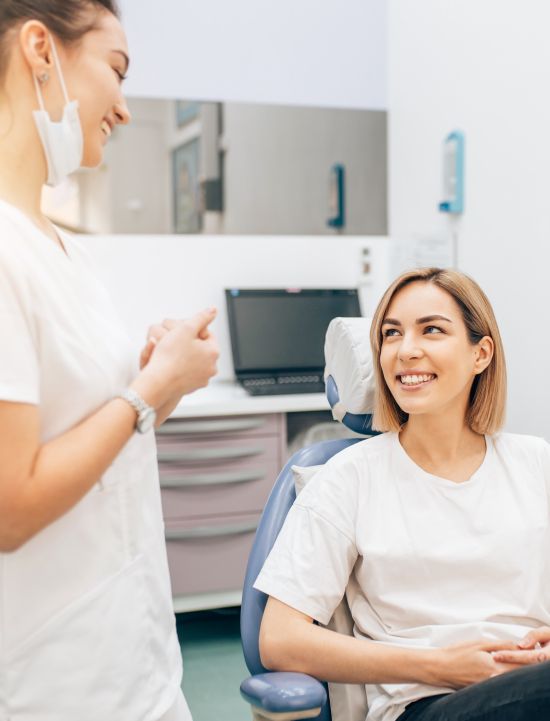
[466, 663]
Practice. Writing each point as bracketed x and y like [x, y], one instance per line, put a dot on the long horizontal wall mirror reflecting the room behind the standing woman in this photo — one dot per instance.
[185, 167]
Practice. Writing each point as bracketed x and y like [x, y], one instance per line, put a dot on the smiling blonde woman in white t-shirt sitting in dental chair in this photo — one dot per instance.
[437, 531]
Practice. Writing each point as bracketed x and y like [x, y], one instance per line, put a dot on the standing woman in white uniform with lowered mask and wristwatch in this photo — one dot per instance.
[87, 628]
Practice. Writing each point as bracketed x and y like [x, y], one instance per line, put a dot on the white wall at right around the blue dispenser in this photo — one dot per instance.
[483, 67]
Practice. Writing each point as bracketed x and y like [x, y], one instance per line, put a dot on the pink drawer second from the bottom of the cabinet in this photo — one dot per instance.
[241, 487]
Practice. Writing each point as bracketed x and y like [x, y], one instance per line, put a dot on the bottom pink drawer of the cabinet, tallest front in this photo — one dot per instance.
[207, 556]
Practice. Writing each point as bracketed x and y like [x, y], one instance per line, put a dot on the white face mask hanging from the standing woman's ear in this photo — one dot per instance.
[62, 141]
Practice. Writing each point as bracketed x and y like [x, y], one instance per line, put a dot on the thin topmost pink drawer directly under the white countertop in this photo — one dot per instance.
[217, 427]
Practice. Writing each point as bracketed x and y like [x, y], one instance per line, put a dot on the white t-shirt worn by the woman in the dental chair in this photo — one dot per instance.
[424, 562]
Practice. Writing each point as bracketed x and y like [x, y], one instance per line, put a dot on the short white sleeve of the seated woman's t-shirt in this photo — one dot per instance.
[314, 554]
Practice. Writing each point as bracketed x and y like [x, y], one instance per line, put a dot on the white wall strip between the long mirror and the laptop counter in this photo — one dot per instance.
[154, 277]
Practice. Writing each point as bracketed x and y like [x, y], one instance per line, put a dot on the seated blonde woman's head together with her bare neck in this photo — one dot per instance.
[441, 370]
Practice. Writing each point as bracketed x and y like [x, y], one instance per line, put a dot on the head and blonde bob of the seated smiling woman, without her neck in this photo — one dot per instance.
[460, 334]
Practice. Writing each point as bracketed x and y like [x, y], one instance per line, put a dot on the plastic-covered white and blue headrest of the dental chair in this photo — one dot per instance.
[349, 374]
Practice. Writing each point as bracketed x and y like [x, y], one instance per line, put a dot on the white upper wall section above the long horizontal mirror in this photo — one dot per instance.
[310, 52]
